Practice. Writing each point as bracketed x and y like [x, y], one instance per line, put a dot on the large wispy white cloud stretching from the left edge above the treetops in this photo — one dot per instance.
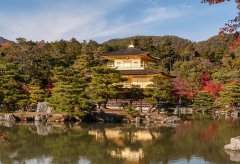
[83, 22]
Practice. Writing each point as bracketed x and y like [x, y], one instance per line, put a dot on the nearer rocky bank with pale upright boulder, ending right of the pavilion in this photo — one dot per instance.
[45, 114]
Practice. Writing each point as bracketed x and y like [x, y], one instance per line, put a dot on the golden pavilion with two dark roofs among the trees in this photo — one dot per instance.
[132, 64]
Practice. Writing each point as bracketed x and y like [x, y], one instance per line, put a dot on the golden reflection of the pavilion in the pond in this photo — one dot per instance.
[118, 136]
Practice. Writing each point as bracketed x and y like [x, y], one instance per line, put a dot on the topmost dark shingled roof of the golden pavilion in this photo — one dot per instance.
[127, 51]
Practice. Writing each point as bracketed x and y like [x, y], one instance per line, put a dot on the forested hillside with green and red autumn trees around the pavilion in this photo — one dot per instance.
[58, 71]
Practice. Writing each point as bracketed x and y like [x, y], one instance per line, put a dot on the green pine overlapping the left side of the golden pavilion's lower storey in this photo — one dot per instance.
[104, 85]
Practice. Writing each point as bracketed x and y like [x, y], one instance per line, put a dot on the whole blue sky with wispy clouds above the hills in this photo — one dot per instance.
[102, 20]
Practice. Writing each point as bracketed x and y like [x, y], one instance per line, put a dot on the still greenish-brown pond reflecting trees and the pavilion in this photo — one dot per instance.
[199, 140]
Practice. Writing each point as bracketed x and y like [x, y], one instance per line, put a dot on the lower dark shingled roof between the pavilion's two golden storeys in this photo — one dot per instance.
[143, 72]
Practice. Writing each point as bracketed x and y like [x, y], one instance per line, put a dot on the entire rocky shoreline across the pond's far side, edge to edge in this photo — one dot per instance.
[45, 113]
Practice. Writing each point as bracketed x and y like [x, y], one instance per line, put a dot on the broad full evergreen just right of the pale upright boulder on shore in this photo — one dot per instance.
[68, 94]
